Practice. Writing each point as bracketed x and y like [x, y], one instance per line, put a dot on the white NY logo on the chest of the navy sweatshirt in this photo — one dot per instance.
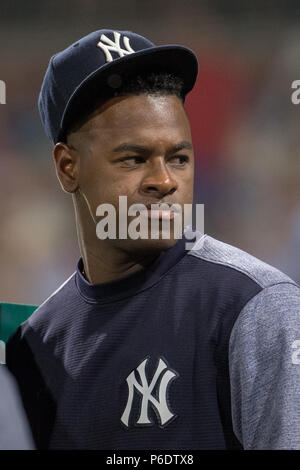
[159, 404]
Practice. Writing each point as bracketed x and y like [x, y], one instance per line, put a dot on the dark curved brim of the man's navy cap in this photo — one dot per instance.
[175, 59]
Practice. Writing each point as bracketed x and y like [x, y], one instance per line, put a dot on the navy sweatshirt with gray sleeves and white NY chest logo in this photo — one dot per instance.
[197, 351]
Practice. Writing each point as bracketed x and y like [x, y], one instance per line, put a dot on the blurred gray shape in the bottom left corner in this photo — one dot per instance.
[14, 430]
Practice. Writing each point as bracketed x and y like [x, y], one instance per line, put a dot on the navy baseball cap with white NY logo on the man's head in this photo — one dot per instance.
[97, 65]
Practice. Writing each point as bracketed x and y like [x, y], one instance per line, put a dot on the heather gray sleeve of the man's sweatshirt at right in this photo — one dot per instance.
[264, 366]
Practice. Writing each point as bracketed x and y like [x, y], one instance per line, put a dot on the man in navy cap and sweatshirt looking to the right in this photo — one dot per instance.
[149, 345]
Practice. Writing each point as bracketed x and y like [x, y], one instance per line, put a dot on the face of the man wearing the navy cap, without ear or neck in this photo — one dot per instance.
[139, 147]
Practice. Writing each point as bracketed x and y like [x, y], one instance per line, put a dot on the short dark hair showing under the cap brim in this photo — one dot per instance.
[160, 84]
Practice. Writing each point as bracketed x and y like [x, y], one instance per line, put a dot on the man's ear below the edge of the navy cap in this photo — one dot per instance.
[67, 166]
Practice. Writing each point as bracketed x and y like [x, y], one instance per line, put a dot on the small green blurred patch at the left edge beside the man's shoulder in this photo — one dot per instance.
[11, 316]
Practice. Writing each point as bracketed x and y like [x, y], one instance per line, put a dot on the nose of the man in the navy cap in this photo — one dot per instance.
[158, 181]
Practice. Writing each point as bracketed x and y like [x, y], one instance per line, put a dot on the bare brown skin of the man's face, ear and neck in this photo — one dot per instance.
[156, 165]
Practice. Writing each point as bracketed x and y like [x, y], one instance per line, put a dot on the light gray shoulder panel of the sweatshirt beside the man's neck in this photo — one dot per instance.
[220, 254]
